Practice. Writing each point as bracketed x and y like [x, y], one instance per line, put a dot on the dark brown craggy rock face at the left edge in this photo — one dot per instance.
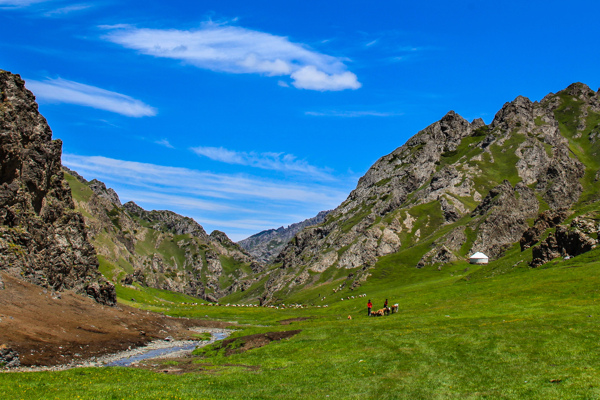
[42, 238]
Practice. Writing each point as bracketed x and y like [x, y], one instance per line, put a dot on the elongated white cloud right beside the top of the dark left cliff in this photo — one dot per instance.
[64, 91]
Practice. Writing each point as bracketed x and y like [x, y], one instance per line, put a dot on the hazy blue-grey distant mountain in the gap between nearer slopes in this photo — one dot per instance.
[266, 245]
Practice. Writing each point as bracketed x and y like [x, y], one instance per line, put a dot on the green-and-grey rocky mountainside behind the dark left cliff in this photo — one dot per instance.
[160, 249]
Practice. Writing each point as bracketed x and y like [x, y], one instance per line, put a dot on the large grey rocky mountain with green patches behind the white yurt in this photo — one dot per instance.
[455, 188]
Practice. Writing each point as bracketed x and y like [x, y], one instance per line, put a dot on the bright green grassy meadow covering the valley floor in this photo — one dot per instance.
[493, 332]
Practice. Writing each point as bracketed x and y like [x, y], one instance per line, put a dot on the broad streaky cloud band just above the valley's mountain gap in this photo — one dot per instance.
[240, 205]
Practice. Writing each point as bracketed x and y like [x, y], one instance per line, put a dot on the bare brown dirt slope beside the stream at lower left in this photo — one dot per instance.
[48, 329]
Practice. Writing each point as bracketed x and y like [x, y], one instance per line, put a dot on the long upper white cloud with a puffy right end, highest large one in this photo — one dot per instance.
[238, 50]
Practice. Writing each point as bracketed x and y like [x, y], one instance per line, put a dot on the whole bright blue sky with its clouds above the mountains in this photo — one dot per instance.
[252, 115]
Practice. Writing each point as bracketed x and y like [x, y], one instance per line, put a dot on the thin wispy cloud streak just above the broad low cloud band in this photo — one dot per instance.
[270, 161]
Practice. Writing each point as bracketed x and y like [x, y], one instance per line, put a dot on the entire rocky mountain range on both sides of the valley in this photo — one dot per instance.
[523, 188]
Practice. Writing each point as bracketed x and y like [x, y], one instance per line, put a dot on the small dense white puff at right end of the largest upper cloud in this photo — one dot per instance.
[311, 78]
